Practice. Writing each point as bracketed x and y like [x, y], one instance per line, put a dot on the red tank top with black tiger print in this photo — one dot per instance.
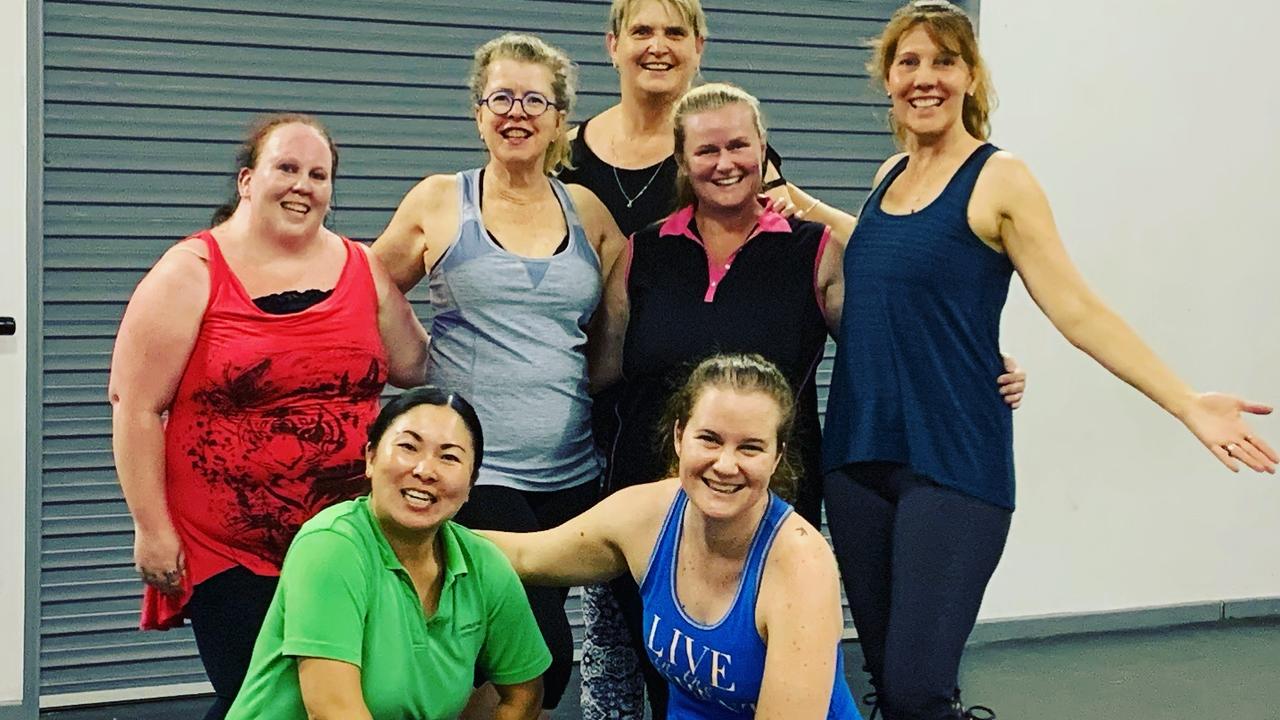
[268, 426]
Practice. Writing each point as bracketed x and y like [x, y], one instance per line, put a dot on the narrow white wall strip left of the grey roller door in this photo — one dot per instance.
[13, 350]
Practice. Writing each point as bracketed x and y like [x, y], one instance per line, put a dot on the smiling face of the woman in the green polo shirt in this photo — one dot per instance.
[422, 470]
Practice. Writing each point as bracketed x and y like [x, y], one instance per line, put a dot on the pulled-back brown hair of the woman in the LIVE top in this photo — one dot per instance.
[740, 373]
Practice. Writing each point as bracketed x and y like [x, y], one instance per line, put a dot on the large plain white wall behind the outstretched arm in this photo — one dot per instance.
[1155, 129]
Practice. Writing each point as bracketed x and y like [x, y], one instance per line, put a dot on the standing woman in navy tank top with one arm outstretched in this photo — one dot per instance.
[918, 449]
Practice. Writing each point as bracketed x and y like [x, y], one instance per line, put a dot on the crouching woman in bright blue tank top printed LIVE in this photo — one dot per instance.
[742, 598]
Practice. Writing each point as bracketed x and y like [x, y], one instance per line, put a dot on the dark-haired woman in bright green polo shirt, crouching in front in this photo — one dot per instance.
[387, 609]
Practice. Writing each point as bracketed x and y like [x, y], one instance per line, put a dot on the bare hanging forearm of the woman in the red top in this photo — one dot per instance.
[139, 446]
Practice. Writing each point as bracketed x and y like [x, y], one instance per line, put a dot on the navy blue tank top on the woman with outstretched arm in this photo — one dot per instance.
[920, 345]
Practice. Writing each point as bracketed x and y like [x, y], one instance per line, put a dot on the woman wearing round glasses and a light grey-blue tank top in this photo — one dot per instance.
[515, 263]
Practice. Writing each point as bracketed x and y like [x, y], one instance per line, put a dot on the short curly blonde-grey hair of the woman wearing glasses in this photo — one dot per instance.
[531, 49]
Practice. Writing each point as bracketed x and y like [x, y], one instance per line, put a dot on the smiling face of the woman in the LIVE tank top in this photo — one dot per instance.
[729, 450]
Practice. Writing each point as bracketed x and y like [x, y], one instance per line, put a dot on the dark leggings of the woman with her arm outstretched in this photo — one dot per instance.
[916, 559]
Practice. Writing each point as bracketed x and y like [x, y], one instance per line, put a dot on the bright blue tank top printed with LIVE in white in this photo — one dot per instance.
[715, 672]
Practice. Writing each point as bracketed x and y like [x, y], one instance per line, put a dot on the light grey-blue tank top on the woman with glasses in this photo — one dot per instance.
[510, 335]
